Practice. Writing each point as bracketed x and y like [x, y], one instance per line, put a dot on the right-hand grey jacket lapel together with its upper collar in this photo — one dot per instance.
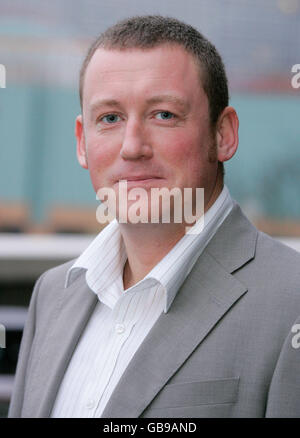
[206, 295]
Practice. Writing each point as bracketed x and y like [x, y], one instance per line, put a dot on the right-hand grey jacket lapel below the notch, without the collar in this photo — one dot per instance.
[194, 312]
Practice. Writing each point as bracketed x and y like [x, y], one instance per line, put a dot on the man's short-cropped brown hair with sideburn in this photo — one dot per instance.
[153, 30]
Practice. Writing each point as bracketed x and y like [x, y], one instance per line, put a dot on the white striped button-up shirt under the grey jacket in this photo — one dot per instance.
[122, 319]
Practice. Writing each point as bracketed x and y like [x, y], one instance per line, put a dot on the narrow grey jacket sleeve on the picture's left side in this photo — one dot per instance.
[16, 402]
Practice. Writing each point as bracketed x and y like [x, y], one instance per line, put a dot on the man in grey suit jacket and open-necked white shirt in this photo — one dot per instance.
[152, 320]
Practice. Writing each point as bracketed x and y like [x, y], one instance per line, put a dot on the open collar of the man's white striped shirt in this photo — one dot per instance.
[105, 257]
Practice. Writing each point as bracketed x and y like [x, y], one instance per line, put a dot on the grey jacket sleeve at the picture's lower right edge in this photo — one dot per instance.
[284, 394]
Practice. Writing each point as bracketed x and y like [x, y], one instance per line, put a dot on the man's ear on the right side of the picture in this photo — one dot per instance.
[227, 134]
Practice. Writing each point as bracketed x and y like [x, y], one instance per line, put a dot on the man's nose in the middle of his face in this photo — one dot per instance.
[135, 143]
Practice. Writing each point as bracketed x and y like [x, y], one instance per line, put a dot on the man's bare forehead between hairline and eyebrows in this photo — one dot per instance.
[142, 71]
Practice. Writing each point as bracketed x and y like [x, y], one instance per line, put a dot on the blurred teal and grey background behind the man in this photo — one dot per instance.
[47, 203]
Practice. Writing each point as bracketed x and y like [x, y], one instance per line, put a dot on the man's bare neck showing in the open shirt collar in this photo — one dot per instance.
[147, 244]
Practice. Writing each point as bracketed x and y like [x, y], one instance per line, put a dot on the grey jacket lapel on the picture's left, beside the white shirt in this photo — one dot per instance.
[75, 307]
